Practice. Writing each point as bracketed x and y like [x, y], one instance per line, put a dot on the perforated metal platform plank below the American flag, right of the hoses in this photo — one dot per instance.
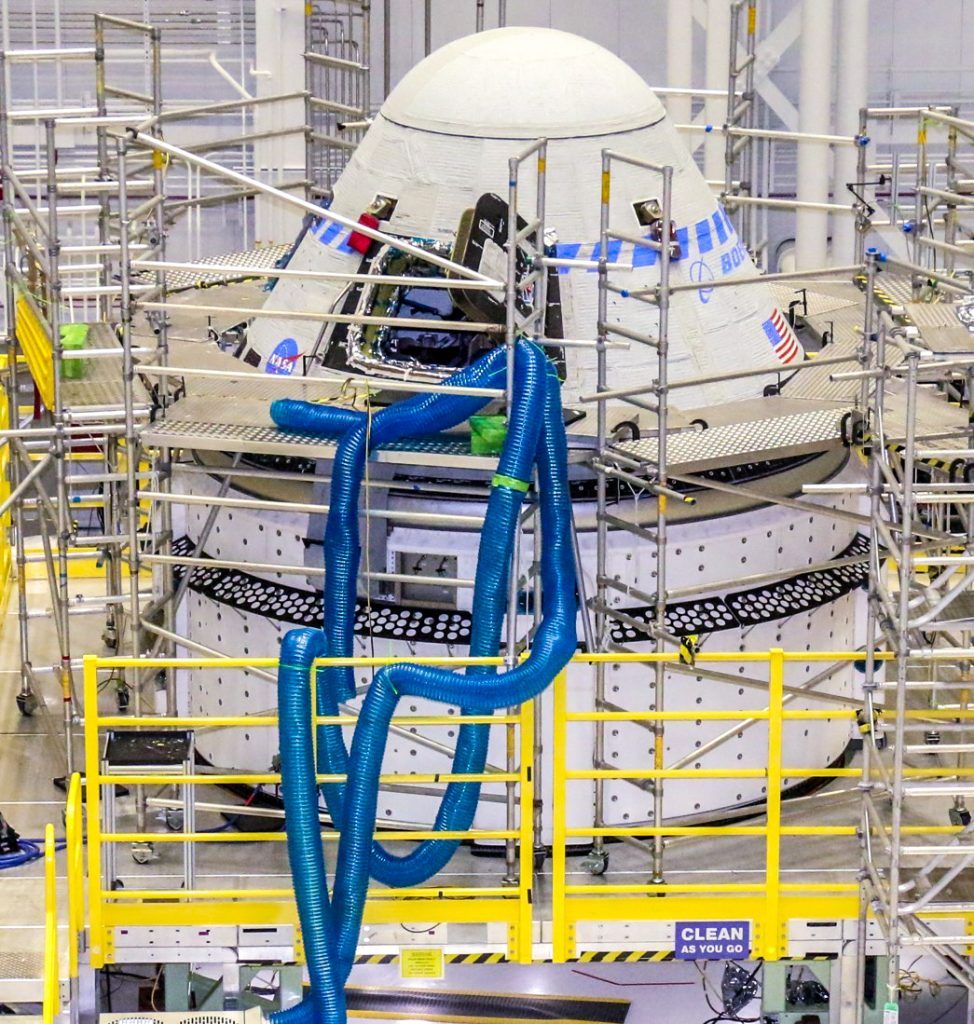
[773, 438]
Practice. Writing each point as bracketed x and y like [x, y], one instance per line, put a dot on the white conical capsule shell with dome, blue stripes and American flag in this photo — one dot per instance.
[444, 138]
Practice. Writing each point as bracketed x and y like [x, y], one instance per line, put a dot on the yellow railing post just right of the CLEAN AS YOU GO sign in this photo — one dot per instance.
[774, 940]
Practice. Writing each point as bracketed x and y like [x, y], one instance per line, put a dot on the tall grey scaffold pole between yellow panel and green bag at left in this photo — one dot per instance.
[60, 599]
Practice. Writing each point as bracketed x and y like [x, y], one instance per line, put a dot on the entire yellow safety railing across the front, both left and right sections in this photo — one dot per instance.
[770, 904]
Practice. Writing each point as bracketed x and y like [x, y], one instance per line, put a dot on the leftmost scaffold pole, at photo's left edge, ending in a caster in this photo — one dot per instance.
[26, 697]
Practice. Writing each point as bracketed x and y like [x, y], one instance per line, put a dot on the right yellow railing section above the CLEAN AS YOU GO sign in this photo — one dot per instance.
[771, 903]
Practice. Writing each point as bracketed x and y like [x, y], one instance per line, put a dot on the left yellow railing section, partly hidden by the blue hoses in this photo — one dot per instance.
[112, 909]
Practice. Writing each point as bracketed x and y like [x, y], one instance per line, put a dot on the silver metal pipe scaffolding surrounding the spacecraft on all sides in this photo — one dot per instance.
[125, 410]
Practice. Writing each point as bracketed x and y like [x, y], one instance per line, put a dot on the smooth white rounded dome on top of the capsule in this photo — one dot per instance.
[523, 83]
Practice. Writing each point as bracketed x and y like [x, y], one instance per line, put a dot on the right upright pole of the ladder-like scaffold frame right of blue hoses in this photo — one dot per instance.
[662, 479]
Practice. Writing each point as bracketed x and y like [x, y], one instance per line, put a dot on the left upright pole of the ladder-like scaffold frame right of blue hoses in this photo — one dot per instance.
[602, 495]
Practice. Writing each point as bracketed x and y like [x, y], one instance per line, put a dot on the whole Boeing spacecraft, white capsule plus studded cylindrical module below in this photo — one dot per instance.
[430, 170]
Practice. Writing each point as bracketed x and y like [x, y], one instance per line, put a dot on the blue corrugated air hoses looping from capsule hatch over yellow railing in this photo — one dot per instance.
[535, 440]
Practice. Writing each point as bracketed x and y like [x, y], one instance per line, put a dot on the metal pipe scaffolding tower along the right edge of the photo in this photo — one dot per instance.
[915, 822]
